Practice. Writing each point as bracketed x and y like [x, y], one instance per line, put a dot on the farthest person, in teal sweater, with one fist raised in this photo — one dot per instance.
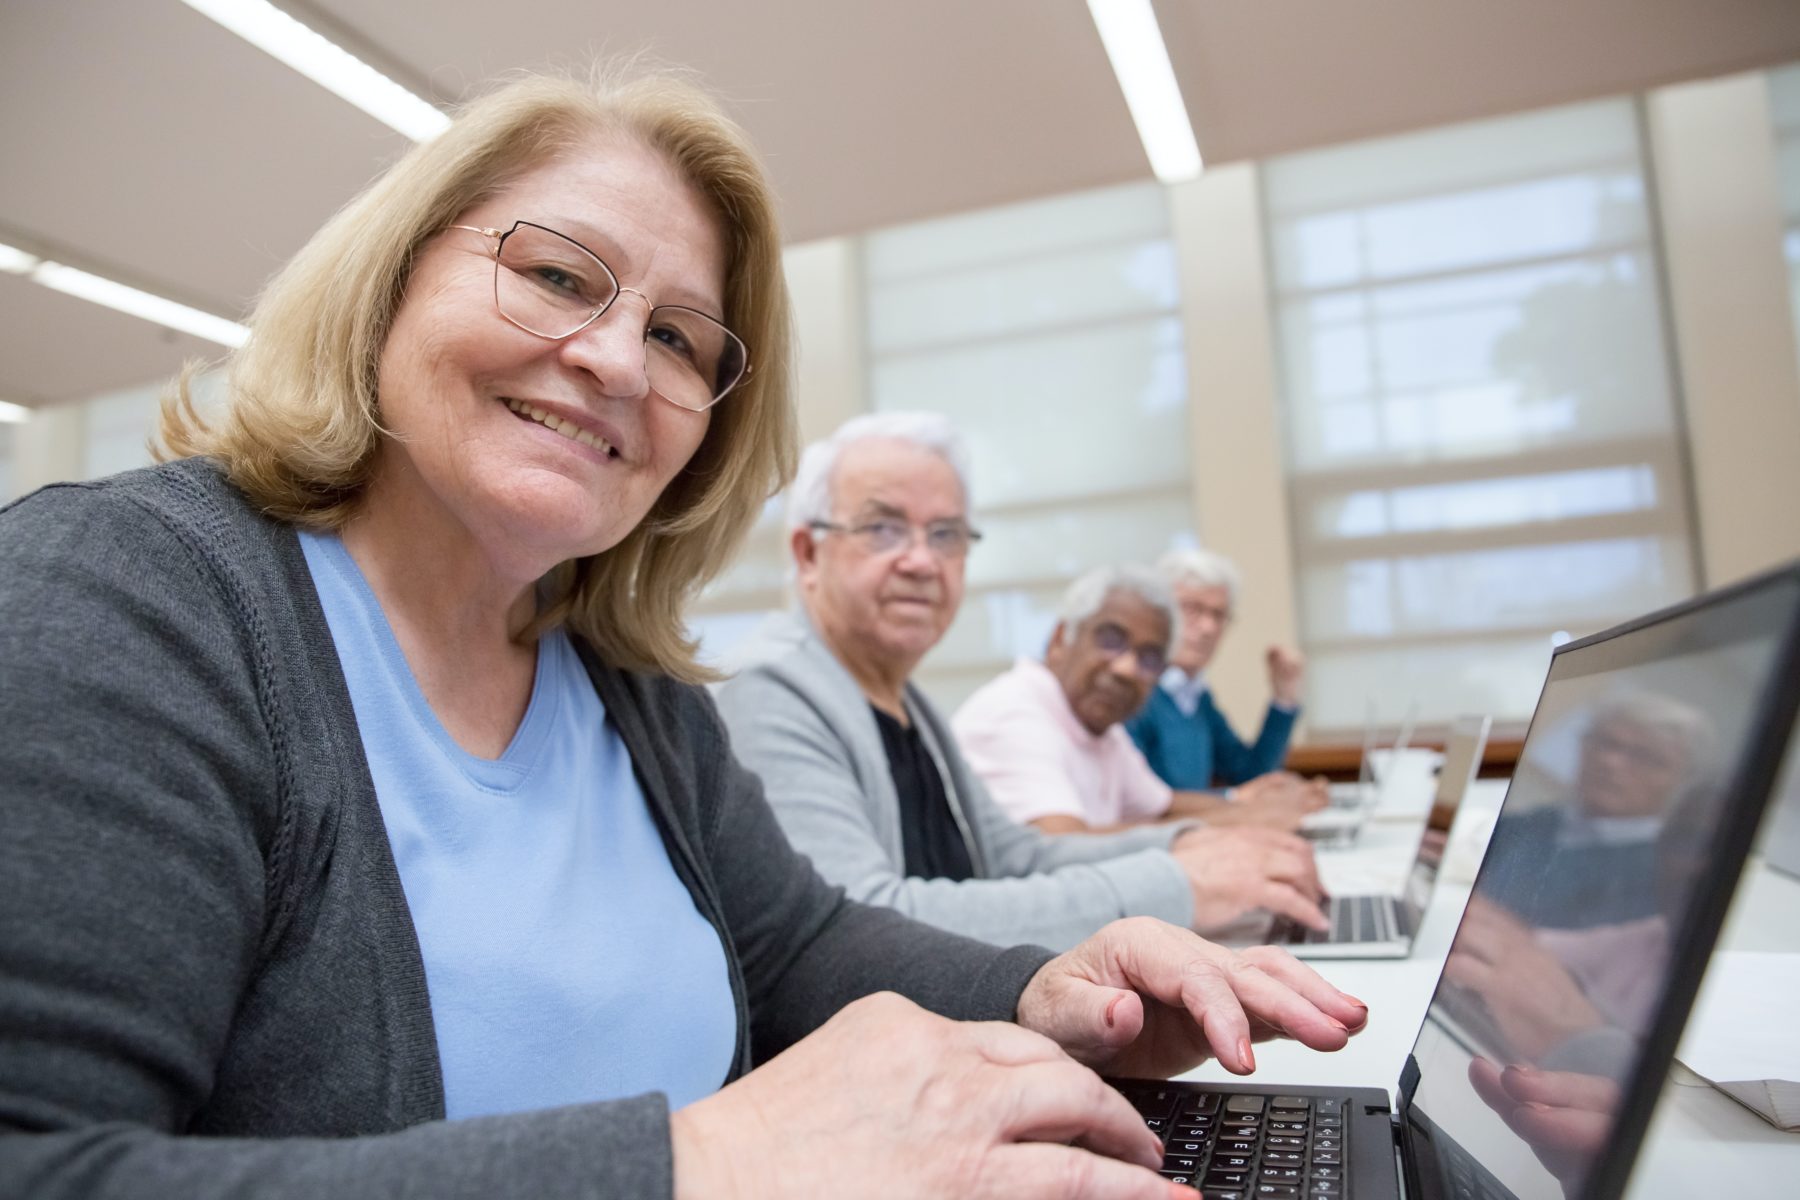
[1182, 733]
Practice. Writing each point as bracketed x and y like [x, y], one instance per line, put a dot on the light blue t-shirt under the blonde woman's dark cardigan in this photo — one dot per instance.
[564, 956]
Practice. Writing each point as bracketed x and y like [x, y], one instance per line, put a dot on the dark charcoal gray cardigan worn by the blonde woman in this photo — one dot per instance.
[210, 981]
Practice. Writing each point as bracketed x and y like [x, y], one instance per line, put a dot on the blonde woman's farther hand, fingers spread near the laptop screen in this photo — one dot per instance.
[1147, 999]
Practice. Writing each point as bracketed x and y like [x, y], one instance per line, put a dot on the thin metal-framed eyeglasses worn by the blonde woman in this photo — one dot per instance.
[555, 287]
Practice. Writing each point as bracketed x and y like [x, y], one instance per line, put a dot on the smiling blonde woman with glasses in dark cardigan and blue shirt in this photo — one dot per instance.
[366, 828]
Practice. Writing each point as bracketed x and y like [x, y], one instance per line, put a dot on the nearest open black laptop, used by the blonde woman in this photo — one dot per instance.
[1549, 1037]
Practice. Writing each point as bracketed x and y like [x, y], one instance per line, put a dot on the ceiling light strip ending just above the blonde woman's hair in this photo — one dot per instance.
[327, 64]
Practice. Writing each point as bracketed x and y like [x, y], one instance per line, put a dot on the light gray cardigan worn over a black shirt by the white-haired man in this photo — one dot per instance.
[798, 721]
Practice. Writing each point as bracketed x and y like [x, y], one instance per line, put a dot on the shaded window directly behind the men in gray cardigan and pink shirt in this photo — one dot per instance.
[1050, 334]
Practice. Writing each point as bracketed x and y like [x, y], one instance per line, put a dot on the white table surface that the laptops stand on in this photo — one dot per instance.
[1702, 1143]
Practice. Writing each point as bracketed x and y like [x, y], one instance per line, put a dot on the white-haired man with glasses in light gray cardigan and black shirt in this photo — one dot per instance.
[861, 769]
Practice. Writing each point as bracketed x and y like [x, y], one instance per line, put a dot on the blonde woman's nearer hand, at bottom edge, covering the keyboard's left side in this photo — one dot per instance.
[886, 1100]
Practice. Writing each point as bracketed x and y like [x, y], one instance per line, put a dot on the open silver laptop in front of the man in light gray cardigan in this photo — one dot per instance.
[1383, 927]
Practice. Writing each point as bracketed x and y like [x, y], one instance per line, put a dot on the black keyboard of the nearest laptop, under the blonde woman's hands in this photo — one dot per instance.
[1237, 1147]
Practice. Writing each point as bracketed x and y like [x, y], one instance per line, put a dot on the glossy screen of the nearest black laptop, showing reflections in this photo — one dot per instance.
[1599, 861]
